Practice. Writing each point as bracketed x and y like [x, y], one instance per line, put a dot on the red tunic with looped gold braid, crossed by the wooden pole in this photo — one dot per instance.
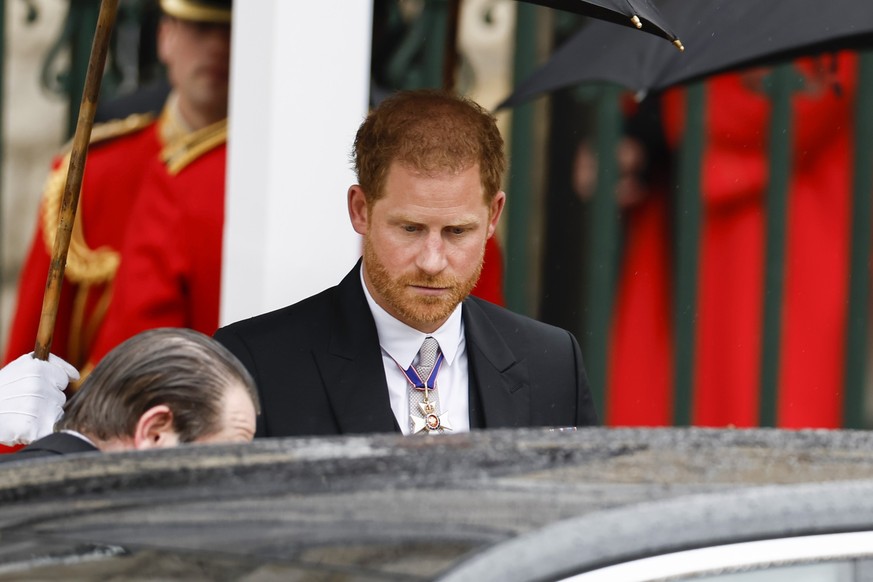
[114, 168]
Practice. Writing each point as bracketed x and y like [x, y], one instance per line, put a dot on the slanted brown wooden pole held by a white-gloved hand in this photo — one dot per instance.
[81, 139]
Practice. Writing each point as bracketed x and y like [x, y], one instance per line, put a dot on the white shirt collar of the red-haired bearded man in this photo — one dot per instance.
[402, 342]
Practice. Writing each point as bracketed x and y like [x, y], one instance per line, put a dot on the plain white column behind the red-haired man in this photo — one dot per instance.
[299, 90]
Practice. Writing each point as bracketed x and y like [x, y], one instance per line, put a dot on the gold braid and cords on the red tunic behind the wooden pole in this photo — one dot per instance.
[85, 266]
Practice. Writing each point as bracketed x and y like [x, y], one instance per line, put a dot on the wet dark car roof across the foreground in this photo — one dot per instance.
[492, 505]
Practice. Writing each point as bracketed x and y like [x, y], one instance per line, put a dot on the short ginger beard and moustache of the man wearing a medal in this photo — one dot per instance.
[413, 308]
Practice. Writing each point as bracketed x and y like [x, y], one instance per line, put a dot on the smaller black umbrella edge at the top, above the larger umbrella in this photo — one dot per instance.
[641, 14]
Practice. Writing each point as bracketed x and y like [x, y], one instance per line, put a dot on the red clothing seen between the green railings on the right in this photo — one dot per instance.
[731, 268]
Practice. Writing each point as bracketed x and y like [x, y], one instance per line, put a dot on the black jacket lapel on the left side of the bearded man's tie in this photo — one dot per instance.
[353, 372]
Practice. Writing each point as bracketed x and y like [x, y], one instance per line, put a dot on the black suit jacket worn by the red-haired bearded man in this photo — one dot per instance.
[318, 367]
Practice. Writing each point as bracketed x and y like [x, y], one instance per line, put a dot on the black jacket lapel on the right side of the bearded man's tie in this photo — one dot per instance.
[496, 377]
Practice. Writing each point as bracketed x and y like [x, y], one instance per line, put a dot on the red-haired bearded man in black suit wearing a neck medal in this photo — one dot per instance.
[347, 360]
